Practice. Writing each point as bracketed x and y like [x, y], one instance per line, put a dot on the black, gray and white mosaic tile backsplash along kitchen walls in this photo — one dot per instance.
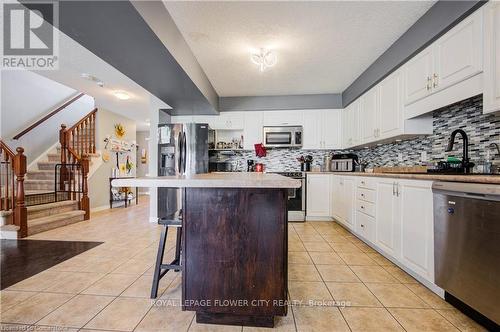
[467, 114]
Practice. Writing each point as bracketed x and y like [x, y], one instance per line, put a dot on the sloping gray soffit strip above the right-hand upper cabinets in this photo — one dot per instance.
[437, 21]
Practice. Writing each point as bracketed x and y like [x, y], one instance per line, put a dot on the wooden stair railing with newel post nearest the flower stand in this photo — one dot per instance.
[77, 143]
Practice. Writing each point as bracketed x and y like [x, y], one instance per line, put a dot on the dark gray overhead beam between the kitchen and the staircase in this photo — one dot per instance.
[116, 32]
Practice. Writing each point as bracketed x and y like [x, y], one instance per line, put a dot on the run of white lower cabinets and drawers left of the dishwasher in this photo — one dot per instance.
[395, 215]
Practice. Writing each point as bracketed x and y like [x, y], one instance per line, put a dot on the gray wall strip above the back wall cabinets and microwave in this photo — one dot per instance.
[289, 102]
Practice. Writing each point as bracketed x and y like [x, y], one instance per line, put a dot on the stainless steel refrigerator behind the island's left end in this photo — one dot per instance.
[182, 150]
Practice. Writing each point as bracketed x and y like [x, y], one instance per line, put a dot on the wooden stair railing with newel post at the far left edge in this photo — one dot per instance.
[12, 172]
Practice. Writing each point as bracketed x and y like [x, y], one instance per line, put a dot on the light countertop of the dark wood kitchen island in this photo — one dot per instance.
[212, 180]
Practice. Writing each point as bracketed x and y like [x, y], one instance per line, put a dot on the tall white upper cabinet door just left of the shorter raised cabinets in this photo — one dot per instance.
[391, 106]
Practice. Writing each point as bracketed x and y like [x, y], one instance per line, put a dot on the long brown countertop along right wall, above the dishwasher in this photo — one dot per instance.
[472, 178]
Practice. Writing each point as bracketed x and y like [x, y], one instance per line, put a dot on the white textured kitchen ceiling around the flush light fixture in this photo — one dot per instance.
[321, 46]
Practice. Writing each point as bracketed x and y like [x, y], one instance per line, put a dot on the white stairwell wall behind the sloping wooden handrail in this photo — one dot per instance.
[25, 98]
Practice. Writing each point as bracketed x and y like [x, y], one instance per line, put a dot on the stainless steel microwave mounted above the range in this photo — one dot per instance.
[282, 136]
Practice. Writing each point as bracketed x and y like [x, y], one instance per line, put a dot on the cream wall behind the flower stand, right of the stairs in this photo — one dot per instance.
[99, 181]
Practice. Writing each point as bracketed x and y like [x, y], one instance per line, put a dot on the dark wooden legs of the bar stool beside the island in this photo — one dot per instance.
[160, 268]
